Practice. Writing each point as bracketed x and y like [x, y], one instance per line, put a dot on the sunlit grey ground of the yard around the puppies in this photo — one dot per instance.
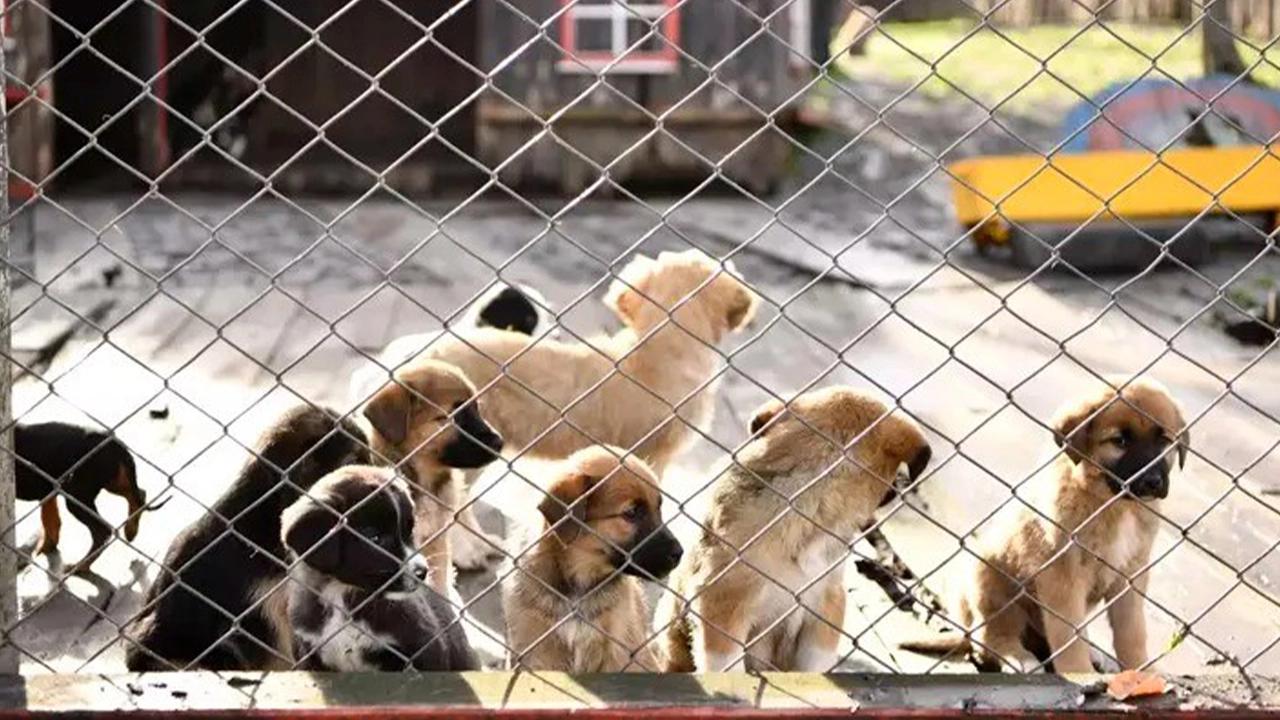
[223, 330]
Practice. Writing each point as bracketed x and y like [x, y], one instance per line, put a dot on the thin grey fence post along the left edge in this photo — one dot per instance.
[8, 558]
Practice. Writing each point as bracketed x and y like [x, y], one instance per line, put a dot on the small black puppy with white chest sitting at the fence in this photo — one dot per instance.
[358, 598]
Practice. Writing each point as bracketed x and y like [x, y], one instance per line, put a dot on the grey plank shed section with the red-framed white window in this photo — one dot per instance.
[687, 89]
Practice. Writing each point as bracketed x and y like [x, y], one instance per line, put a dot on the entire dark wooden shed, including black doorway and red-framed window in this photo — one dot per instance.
[438, 97]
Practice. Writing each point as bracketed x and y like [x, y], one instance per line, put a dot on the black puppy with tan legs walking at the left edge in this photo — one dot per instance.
[81, 463]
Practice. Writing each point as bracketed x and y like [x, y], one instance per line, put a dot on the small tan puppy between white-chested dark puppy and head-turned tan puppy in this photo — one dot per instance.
[601, 532]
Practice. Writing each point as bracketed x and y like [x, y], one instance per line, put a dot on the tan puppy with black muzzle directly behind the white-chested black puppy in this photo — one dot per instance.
[427, 423]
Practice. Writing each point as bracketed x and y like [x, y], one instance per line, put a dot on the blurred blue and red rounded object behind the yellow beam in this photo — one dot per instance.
[1159, 113]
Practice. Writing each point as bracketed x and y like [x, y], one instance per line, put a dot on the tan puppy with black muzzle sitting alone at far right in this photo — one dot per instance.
[1034, 584]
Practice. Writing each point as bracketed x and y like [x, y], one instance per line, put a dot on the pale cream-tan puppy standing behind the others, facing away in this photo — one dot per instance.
[642, 389]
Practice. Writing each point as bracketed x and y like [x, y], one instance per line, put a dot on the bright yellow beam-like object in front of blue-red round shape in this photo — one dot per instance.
[1130, 184]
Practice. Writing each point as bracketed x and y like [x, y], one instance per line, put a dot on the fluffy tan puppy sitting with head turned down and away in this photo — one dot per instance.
[790, 507]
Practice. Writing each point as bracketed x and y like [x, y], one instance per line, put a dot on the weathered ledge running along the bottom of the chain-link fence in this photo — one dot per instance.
[474, 695]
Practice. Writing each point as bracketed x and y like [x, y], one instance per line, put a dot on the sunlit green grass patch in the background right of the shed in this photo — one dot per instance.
[993, 66]
